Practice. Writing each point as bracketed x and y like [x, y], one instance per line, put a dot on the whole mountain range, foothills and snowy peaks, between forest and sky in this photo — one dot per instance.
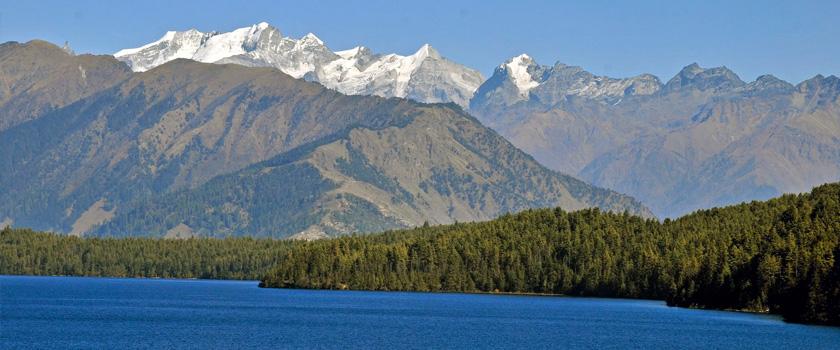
[156, 140]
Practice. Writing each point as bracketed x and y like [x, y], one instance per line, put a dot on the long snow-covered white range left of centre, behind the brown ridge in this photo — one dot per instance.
[424, 76]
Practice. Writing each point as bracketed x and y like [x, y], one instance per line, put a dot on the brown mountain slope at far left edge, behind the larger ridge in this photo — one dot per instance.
[37, 77]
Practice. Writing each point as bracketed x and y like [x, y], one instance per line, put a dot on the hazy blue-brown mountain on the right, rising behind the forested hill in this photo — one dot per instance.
[703, 139]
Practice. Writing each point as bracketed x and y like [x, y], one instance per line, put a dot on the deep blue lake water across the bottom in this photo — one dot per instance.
[106, 313]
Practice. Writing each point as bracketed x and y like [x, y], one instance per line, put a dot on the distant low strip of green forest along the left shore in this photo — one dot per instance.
[24, 252]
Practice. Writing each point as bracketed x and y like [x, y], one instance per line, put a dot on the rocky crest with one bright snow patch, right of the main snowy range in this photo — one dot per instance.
[521, 78]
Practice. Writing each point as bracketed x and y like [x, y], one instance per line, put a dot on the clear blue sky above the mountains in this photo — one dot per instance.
[793, 40]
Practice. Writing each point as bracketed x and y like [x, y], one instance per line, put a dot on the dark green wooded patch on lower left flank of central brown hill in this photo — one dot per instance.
[264, 202]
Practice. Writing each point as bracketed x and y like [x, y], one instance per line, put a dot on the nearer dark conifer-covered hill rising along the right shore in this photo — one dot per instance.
[777, 256]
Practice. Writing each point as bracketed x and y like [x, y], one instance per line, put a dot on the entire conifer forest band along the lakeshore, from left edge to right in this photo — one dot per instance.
[780, 256]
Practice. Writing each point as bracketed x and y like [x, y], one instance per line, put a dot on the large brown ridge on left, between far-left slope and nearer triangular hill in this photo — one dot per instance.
[172, 127]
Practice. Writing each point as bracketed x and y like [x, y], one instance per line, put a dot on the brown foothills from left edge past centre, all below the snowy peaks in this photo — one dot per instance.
[195, 149]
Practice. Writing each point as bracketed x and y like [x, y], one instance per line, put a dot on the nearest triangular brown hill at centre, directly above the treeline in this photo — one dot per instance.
[439, 167]
